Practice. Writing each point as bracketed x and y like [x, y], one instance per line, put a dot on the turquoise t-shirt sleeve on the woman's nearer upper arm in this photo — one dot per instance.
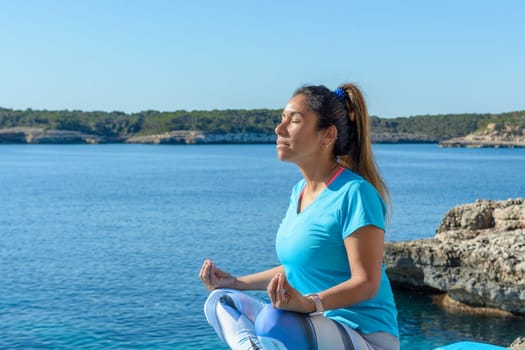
[362, 207]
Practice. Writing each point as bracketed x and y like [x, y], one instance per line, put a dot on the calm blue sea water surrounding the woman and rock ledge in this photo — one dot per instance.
[100, 245]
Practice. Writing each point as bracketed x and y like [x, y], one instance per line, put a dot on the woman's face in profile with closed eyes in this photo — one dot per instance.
[298, 138]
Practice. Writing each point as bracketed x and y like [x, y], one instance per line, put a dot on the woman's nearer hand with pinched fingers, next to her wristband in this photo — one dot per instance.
[285, 297]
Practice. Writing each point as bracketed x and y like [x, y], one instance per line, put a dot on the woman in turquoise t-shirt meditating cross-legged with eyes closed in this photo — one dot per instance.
[331, 290]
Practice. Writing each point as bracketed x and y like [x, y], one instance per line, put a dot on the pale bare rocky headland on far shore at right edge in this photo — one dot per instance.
[494, 135]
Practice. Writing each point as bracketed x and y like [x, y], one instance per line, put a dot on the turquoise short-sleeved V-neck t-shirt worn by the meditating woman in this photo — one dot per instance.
[311, 249]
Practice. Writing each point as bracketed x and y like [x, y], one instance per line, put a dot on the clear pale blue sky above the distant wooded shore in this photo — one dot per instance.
[409, 57]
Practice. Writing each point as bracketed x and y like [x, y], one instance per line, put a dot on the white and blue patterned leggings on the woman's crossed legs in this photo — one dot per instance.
[245, 322]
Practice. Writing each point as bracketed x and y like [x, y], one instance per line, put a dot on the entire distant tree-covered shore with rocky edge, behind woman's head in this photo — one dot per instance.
[245, 127]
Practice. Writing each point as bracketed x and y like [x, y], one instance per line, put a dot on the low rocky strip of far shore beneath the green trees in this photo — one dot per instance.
[493, 135]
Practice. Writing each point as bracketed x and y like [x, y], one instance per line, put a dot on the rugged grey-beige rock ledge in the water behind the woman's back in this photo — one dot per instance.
[477, 257]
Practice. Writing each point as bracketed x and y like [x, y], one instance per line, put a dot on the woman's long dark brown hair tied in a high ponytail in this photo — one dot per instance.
[353, 146]
